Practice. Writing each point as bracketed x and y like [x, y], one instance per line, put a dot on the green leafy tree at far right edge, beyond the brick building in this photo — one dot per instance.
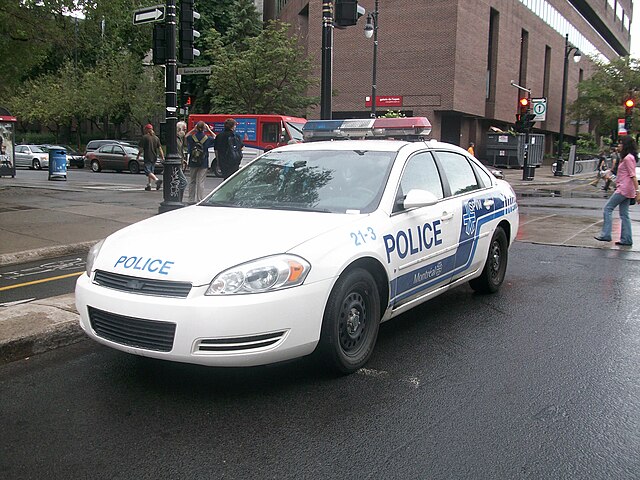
[601, 97]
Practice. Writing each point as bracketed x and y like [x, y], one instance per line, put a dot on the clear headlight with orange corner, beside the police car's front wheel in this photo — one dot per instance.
[262, 275]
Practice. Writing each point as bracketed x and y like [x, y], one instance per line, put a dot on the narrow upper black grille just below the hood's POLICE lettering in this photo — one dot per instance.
[143, 286]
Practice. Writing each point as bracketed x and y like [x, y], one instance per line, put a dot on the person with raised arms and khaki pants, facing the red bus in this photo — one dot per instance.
[199, 140]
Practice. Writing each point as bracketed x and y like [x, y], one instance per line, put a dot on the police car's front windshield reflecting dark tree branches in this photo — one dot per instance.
[312, 180]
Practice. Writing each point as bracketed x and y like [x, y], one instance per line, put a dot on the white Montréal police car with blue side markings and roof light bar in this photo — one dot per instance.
[306, 249]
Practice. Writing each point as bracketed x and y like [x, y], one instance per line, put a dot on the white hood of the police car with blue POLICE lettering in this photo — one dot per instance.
[196, 243]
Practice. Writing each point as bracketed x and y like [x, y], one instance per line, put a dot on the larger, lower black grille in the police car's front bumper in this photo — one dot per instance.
[134, 332]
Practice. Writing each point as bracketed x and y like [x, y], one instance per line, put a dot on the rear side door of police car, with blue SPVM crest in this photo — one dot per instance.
[472, 202]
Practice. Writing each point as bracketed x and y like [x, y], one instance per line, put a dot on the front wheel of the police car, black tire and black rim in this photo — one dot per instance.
[351, 322]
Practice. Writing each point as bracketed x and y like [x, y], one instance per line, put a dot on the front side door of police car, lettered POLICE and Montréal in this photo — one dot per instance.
[421, 244]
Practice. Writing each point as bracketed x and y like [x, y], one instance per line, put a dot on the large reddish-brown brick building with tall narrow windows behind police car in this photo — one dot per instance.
[453, 61]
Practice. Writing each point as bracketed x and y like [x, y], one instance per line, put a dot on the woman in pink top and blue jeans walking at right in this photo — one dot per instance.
[627, 193]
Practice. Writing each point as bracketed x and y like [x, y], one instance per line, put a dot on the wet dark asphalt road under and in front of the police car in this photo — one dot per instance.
[537, 381]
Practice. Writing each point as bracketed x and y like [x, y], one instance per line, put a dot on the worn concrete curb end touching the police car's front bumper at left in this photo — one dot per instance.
[58, 335]
